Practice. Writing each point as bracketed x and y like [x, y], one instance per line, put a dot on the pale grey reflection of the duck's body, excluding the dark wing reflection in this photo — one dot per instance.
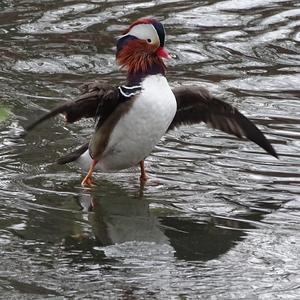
[119, 217]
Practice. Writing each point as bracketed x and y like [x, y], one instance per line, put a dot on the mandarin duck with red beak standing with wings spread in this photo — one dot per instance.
[130, 119]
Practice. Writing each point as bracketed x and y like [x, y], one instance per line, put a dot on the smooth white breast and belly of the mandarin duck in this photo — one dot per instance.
[139, 130]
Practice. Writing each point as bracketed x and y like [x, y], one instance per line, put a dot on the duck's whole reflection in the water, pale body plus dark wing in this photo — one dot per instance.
[118, 216]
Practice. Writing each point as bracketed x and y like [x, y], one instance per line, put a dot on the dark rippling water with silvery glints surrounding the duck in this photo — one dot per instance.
[219, 219]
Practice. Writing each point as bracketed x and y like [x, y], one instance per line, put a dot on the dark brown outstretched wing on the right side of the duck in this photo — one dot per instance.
[196, 105]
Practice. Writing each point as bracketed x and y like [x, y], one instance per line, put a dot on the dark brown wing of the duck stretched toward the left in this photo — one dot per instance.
[97, 100]
